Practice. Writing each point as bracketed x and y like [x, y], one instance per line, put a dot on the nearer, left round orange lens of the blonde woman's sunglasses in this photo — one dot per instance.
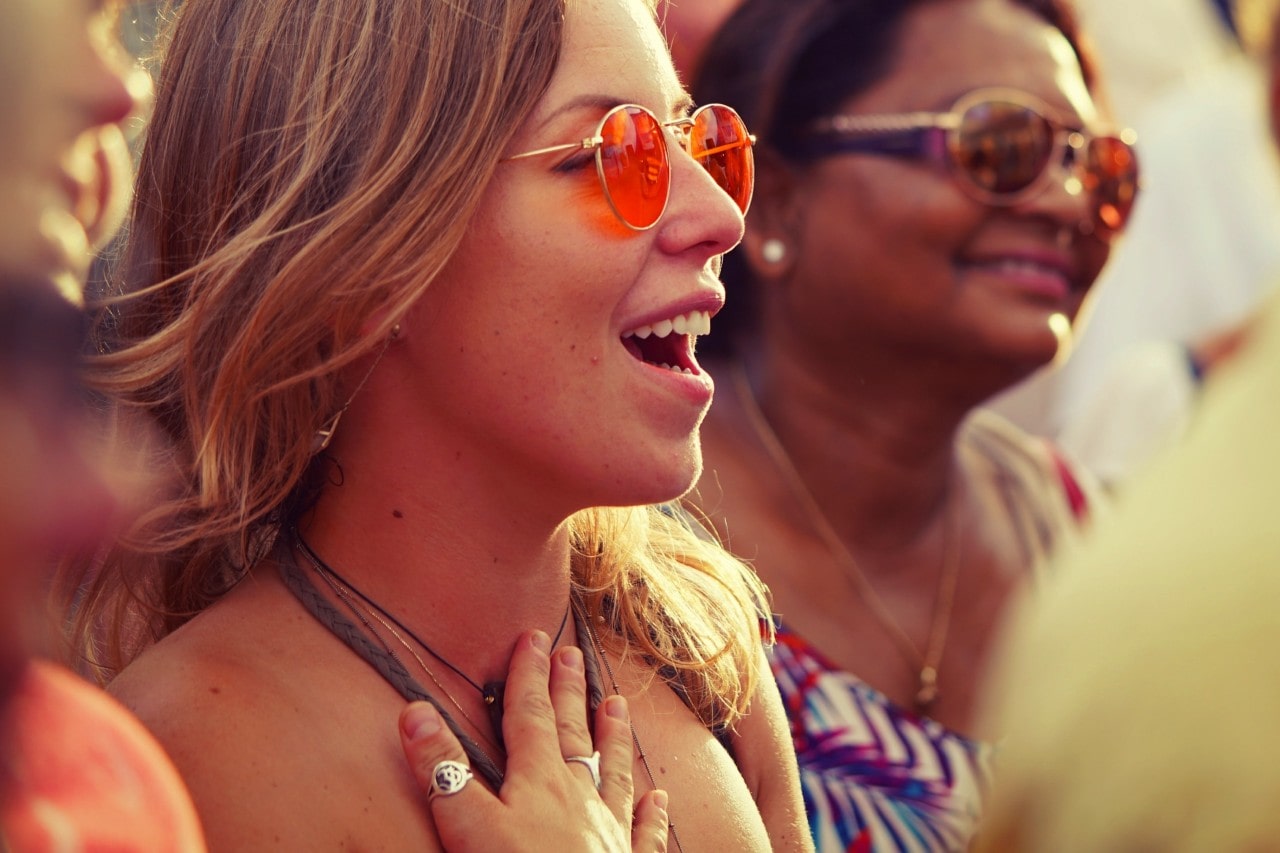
[634, 166]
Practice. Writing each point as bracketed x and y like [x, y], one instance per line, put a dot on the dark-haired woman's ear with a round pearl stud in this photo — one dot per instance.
[772, 241]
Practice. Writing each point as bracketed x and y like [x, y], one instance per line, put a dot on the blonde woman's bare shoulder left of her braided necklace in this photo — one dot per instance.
[268, 722]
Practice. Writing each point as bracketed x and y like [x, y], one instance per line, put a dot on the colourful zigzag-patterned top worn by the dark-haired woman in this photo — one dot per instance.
[881, 778]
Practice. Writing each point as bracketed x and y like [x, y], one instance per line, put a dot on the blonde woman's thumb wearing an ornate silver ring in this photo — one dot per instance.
[428, 742]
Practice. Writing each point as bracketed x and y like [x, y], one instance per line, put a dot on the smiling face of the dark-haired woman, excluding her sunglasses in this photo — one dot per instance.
[899, 262]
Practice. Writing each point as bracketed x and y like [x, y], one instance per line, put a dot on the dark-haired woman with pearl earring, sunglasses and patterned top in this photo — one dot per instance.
[938, 193]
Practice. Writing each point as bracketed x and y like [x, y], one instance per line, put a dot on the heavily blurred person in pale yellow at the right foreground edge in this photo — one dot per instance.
[1140, 690]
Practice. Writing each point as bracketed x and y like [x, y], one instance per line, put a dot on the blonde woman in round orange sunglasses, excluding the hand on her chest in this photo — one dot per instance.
[412, 289]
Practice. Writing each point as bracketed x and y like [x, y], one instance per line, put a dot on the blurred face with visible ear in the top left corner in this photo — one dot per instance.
[67, 83]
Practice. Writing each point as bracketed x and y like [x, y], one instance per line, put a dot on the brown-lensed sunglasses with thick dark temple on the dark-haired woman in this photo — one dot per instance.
[1000, 147]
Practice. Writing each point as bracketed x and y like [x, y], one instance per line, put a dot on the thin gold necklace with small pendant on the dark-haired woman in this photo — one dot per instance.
[925, 664]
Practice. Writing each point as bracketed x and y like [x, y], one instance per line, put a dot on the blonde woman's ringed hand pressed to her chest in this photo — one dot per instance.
[546, 801]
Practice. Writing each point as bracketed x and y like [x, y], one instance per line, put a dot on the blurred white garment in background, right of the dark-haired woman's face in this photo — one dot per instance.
[1199, 257]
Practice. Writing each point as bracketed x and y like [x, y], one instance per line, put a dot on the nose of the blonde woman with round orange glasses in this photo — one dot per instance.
[701, 217]
